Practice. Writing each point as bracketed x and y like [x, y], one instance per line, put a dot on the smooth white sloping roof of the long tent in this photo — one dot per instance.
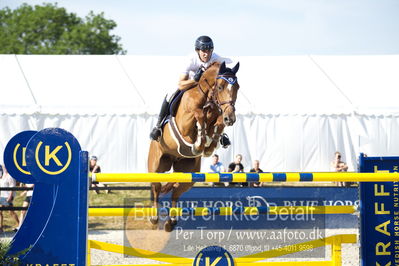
[109, 84]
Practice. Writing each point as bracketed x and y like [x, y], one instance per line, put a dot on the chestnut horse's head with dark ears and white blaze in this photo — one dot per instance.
[225, 92]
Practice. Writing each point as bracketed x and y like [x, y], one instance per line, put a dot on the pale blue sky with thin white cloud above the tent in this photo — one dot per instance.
[248, 27]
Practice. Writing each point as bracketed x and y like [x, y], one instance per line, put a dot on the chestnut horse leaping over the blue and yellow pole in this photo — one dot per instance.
[204, 111]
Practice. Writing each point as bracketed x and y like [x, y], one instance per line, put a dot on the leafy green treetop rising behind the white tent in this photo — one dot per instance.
[49, 29]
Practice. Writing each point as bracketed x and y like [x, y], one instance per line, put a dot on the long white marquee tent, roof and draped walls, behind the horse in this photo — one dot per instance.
[294, 112]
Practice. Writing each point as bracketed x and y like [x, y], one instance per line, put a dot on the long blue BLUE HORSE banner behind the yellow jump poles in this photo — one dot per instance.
[260, 197]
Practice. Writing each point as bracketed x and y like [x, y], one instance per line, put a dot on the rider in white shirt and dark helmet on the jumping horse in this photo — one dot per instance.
[197, 64]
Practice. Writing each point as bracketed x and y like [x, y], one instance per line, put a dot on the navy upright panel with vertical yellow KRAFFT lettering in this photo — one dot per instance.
[379, 213]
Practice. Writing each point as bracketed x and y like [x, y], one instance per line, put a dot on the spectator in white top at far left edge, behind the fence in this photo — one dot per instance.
[6, 196]
